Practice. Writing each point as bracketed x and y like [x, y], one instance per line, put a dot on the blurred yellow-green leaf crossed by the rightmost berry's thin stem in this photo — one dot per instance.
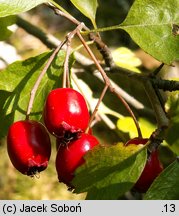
[127, 125]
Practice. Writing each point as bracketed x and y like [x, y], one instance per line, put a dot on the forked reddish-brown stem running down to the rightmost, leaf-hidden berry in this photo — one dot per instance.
[108, 84]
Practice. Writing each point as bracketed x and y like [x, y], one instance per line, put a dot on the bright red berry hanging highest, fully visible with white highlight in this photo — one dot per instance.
[65, 111]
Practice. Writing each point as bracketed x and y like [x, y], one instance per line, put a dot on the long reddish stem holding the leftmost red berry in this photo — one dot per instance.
[37, 83]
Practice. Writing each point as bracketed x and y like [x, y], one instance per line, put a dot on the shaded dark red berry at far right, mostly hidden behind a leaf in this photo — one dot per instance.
[151, 170]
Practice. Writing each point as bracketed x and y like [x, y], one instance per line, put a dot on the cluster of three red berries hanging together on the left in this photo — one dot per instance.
[66, 116]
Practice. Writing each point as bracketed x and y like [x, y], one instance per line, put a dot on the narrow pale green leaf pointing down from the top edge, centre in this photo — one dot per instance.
[87, 7]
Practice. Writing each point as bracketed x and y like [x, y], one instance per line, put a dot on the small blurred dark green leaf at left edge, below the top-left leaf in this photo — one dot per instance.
[5, 22]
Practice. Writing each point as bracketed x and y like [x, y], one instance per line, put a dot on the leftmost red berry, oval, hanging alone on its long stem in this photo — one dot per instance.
[28, 146]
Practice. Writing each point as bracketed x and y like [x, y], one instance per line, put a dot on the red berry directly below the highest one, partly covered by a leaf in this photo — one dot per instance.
[70, 157]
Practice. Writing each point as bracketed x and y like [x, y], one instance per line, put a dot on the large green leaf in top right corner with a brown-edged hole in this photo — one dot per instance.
[151, 24]
